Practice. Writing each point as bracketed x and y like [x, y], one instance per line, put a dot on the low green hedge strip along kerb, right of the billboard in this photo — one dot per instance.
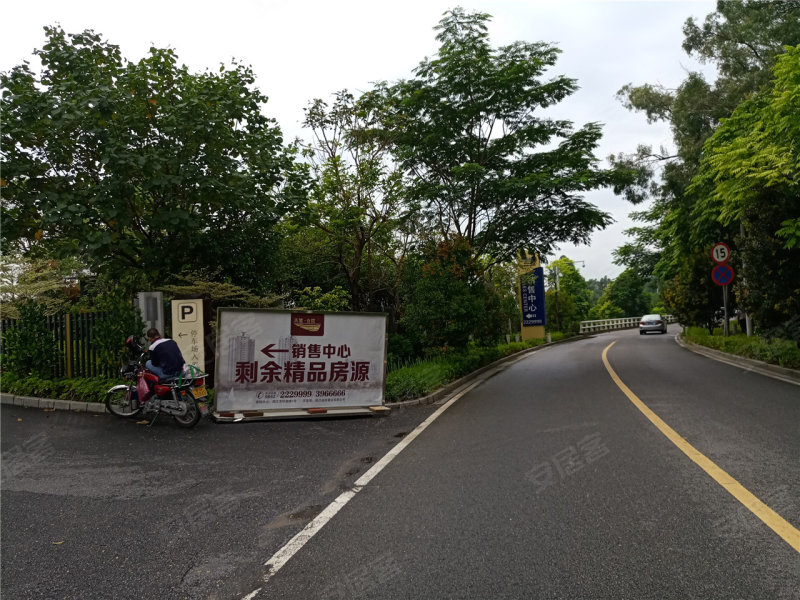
[423, 377]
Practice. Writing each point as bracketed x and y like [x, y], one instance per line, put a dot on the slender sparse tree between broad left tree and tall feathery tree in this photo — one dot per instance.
[357, 194]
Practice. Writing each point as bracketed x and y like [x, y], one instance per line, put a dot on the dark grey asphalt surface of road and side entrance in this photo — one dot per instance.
[545, 481]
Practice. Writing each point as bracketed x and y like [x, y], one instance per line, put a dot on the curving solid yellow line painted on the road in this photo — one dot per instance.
[770, 518]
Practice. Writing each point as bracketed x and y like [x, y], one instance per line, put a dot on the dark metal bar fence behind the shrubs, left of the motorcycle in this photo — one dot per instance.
[77, 353]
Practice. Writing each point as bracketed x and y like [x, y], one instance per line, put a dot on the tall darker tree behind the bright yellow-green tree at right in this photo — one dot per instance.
[743, 39]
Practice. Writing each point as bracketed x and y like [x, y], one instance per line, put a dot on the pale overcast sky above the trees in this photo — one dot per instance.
[300, 50]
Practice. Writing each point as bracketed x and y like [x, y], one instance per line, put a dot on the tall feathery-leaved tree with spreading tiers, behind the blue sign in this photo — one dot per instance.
[483, 165]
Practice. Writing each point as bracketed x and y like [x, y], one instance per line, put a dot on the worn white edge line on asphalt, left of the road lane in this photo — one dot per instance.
[282, 556]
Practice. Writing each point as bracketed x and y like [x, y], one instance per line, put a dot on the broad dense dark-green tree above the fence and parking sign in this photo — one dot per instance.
[141, 167]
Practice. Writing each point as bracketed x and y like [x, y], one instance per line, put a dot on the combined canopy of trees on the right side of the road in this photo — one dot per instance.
[733, 169]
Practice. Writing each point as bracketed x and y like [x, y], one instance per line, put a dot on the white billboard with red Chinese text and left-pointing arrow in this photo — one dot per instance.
[269, 359]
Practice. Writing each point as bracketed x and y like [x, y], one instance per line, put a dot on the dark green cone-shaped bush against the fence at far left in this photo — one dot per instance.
[29, 347]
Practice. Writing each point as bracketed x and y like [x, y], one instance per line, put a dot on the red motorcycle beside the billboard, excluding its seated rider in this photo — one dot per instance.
[184, 397]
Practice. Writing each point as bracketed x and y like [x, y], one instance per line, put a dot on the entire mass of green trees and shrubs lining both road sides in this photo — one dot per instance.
[415, 198]
